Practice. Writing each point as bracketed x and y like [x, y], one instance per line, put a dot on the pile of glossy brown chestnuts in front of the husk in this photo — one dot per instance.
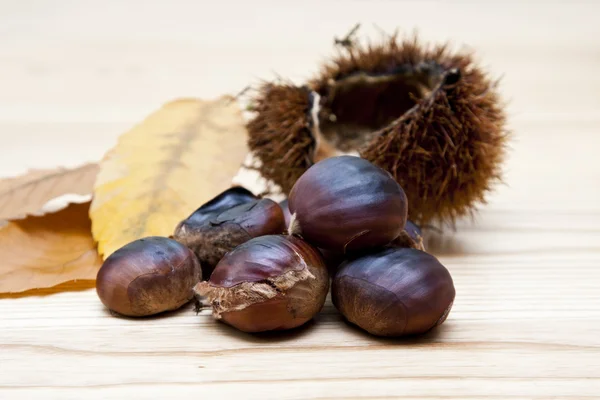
[268, 266]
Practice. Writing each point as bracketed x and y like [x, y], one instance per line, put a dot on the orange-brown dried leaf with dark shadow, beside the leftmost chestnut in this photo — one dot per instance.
[44, 251]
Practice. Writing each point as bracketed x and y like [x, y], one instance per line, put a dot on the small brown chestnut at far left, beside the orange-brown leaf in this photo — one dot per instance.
[148, 276]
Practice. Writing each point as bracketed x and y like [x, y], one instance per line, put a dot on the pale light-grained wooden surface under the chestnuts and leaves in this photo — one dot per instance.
[526, 321]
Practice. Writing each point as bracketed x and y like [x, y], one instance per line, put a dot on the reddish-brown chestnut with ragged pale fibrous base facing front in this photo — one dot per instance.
[269, 283]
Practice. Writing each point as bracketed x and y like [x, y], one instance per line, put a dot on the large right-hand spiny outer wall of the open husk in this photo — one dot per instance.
[448, 149]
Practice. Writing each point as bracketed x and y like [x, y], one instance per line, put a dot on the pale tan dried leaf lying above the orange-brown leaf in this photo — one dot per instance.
[28, 194]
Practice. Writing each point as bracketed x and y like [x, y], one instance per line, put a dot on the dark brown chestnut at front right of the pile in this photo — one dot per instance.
[394, 292]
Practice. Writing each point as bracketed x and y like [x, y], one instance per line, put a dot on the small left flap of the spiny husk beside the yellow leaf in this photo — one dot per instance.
[280, 133]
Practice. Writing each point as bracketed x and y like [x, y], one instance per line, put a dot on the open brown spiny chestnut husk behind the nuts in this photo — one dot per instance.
[430, 117]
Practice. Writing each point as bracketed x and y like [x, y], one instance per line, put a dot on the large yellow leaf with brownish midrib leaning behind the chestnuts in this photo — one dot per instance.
[166, 167]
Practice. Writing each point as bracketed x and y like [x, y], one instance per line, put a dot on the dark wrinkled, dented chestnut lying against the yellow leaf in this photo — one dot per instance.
[221, 225]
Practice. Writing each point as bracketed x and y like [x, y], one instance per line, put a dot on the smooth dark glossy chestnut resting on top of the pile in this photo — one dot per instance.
[346, 203]
